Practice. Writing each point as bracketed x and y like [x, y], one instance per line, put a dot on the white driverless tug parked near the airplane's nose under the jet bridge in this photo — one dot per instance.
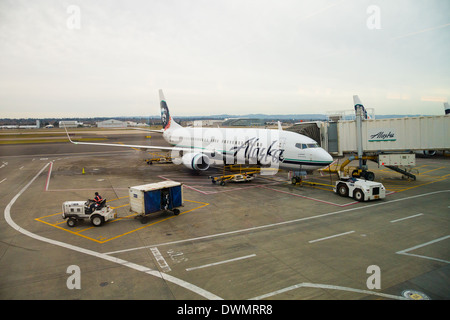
[360, 190]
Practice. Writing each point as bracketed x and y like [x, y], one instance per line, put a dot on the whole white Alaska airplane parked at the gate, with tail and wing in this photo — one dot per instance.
[196, 148]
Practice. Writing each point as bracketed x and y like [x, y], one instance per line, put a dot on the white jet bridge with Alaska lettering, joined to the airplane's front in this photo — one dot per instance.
[380, 140]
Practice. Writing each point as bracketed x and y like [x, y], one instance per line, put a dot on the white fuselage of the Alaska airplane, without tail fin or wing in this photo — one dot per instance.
[268, 147]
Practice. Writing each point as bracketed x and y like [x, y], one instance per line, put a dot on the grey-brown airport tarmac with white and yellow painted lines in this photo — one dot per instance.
[262, 240]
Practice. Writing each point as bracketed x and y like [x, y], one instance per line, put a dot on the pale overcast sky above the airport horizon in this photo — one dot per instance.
[109, 58]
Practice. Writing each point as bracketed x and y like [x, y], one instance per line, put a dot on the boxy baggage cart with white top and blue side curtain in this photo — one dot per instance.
[165, 196]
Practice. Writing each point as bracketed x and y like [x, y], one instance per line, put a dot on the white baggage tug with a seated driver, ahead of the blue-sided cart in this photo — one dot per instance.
[75, 211]
